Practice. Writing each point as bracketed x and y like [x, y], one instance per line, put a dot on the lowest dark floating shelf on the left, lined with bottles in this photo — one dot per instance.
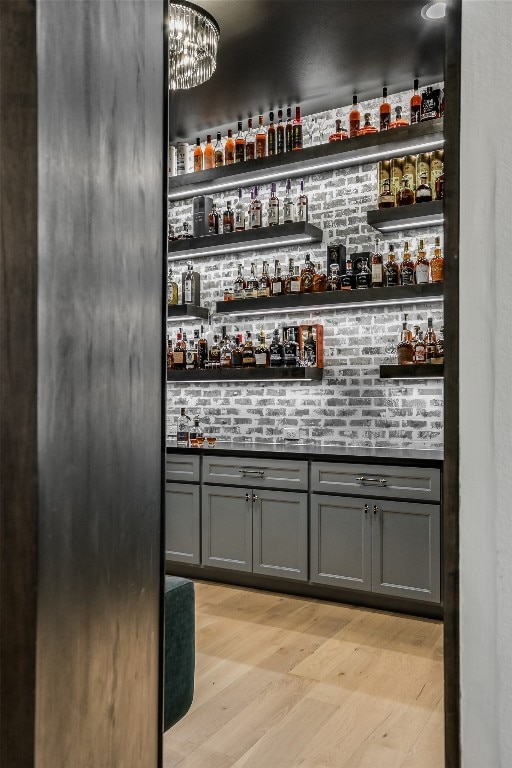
[246, 375]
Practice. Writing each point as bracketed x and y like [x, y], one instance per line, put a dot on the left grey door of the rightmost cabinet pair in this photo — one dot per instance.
[341, 541]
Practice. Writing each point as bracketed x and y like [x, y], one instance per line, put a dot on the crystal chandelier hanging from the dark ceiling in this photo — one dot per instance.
[193, 39]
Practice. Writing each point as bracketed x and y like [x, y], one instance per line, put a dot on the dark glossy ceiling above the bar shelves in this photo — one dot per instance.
[316, 53]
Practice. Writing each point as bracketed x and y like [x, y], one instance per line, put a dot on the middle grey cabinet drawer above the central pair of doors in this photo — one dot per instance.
[256, 472]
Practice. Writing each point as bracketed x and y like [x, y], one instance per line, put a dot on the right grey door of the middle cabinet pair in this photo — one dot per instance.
[280, 534]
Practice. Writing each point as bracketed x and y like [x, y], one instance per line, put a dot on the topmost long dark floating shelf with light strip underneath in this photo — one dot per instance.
[422, 137]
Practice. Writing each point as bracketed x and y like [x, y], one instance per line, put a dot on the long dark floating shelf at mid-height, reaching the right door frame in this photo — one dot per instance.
[404, 294]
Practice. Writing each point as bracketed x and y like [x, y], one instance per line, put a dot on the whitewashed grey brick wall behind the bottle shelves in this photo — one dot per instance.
[351, 406]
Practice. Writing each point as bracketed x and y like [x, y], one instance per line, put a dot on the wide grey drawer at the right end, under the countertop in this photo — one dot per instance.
[418, 483]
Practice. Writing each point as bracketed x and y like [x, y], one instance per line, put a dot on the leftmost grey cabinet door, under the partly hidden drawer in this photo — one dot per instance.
[182, 523]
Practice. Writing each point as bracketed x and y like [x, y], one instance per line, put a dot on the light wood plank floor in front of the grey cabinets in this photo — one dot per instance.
[286, 682]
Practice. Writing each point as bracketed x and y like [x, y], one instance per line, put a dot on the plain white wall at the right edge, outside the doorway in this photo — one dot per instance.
[485, 383]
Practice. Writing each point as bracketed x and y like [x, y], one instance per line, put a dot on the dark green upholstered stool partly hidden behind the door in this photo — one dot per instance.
[179, 661]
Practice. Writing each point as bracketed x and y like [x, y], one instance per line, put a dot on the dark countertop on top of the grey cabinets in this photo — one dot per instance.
[404, 456]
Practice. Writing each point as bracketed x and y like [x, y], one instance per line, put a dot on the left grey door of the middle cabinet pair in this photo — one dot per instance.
[227, 527]
